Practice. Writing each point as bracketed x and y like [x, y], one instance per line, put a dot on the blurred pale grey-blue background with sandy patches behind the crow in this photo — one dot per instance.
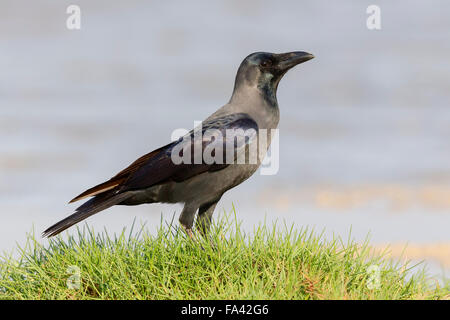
[364, 130]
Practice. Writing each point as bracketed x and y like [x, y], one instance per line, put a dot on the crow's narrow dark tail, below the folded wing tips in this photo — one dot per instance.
[93, 206]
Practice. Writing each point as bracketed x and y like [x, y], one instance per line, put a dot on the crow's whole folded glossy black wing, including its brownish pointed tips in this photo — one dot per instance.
[158, 166]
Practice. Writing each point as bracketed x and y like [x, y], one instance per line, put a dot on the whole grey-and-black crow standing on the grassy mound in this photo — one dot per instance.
[160, 176]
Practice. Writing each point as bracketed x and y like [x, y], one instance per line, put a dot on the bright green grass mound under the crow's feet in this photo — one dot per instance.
[270, 263]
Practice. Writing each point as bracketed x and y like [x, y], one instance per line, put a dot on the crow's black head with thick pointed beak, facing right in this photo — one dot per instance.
[264, 70]
